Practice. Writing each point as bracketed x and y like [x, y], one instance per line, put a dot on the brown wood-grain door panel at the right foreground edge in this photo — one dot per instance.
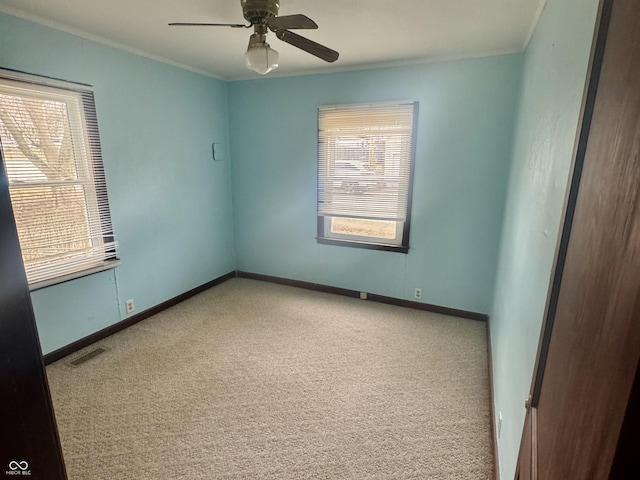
[595, 344]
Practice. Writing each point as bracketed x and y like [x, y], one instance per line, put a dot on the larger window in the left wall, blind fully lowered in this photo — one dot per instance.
[50, 149]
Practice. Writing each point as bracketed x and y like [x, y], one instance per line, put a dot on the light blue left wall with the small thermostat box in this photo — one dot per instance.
[170, 203]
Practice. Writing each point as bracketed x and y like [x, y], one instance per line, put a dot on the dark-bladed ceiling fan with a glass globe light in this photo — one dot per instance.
[262, 15]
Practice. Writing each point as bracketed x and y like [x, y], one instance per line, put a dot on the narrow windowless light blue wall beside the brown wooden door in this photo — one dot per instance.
[555, 68]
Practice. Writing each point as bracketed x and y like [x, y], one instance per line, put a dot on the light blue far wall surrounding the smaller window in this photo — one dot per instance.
[465, 130]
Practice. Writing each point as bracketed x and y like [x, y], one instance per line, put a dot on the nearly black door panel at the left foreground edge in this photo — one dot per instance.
[28, 431]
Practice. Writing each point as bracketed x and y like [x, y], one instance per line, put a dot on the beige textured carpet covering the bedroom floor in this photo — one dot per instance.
[261, 381]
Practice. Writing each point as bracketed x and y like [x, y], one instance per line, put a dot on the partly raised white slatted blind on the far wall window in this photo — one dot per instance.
[364, 146]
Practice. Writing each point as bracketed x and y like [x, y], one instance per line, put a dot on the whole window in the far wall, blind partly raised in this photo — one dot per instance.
[365, 174]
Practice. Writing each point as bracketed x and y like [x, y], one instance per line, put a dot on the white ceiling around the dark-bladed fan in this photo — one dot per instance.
[367, 33]
